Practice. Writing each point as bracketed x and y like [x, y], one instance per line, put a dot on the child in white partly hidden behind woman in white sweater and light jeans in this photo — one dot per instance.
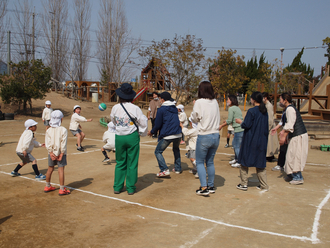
[191, 135]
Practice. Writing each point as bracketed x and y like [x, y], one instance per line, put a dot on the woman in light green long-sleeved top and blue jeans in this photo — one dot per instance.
[234, 112]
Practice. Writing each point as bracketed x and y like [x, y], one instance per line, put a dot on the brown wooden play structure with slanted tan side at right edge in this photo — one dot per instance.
[316, 104]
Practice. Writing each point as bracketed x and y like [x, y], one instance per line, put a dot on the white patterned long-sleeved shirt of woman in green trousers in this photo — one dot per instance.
[123, 123]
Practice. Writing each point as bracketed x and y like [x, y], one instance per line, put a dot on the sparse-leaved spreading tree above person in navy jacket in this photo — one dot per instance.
[184, 59]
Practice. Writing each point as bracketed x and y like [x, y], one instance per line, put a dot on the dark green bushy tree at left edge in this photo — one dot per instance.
[29, 80]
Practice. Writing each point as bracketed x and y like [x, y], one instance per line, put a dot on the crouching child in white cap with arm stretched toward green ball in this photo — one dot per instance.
[75, 126]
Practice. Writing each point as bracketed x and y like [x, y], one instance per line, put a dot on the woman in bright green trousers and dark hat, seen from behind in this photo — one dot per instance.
[129, 121]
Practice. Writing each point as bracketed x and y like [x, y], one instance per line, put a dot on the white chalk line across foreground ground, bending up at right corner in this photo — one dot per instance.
[312, 239]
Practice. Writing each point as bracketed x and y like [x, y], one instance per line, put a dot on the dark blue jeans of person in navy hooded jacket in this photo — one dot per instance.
[160, 148]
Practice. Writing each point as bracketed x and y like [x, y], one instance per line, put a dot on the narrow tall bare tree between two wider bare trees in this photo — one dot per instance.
[81, 47]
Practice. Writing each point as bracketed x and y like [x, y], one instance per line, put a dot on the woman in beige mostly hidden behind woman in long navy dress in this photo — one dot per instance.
[272, 146]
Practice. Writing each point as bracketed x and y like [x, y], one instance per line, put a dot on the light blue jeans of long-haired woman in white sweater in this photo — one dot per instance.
[206, 147]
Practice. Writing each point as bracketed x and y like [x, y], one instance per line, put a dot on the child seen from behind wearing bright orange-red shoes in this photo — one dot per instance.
[56, 140]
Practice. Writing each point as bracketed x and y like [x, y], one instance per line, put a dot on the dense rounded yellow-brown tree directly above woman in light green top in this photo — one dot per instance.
[227, 72]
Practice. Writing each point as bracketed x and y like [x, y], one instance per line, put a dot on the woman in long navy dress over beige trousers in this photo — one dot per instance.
[254, 142]
